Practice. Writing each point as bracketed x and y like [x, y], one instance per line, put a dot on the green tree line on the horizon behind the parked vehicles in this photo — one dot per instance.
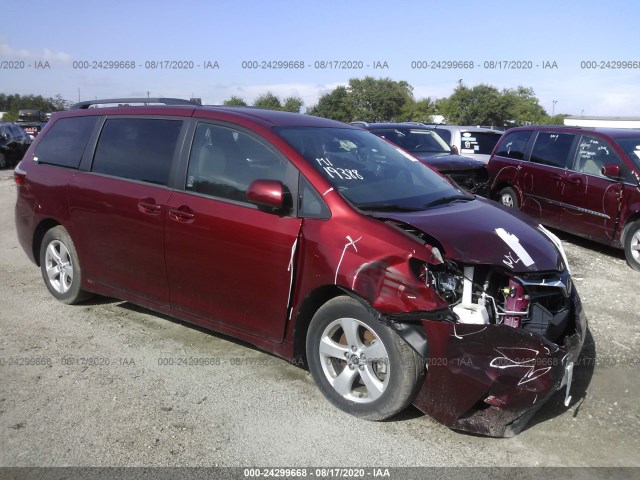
[375, 100]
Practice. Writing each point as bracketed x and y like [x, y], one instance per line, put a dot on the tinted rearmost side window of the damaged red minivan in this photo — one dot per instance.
[65, 141]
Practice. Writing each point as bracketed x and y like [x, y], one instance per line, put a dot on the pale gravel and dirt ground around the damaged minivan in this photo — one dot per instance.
[248, 408]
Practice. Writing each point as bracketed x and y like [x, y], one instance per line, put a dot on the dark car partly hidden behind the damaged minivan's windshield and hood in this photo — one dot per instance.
[430, 148]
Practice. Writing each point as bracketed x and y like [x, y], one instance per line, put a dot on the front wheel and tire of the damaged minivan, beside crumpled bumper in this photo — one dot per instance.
[393, 368]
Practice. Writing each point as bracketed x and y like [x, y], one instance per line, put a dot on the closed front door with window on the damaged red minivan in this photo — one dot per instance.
[227, 261]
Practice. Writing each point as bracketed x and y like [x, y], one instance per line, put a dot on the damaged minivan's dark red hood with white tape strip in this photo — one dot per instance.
[482, 232]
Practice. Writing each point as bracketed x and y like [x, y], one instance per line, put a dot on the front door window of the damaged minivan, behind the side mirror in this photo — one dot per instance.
[224, 162]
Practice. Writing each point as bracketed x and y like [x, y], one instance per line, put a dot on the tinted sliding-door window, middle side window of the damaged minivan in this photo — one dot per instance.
[137, 148]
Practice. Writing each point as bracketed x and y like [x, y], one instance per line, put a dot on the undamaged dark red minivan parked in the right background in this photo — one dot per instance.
[583, 181]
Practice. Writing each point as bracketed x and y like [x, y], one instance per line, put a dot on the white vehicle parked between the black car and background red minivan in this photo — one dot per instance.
[473, 142]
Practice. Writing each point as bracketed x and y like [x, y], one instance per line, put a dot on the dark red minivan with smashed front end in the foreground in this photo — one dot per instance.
[311, 239]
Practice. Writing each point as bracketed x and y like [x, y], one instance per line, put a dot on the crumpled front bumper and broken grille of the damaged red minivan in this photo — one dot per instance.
[490, 378]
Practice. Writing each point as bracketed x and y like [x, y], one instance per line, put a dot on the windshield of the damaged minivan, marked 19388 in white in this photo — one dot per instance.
[368, 171]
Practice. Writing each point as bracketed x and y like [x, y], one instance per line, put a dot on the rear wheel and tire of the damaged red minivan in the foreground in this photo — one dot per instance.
[60, 266]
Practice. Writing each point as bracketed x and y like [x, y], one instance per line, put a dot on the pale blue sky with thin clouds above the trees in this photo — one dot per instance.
[585, 46]
